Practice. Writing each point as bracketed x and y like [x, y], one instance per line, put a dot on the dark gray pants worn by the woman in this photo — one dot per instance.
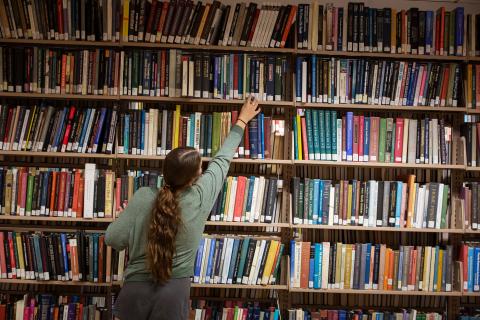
[147, 301]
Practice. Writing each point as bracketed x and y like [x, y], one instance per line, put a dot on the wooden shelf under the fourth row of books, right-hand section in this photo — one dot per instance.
[377, 229]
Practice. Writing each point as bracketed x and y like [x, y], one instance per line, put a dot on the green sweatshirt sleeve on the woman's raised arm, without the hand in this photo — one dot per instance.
[211, 181]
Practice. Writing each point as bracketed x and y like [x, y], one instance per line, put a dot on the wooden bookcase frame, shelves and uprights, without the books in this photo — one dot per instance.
[286, 297]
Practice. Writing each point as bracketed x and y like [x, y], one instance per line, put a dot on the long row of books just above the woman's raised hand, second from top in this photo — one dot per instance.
[168, 73]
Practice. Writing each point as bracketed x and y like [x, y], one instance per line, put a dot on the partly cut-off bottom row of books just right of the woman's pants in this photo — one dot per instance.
[235, 311]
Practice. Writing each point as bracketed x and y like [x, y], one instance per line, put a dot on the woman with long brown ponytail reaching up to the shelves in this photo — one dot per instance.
[162, 229]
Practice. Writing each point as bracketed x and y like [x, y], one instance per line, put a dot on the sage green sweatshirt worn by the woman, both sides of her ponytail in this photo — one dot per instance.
[196, 202]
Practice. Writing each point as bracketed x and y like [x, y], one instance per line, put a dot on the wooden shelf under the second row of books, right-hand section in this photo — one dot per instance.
[374, 107]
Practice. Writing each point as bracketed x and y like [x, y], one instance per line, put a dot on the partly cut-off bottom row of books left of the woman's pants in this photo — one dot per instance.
[49, 307]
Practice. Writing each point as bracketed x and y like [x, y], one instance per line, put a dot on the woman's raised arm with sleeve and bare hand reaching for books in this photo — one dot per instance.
[211, 181]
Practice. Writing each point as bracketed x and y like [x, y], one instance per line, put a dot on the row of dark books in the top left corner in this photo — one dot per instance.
[67, 20]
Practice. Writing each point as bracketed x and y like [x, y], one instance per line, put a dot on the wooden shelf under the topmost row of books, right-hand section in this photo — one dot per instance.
[385, 55]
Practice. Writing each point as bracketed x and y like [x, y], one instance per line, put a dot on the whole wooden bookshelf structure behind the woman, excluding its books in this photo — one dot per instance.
[289, 167]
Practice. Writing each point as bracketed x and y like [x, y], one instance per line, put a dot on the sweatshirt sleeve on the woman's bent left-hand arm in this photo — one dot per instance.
[118, 232]
